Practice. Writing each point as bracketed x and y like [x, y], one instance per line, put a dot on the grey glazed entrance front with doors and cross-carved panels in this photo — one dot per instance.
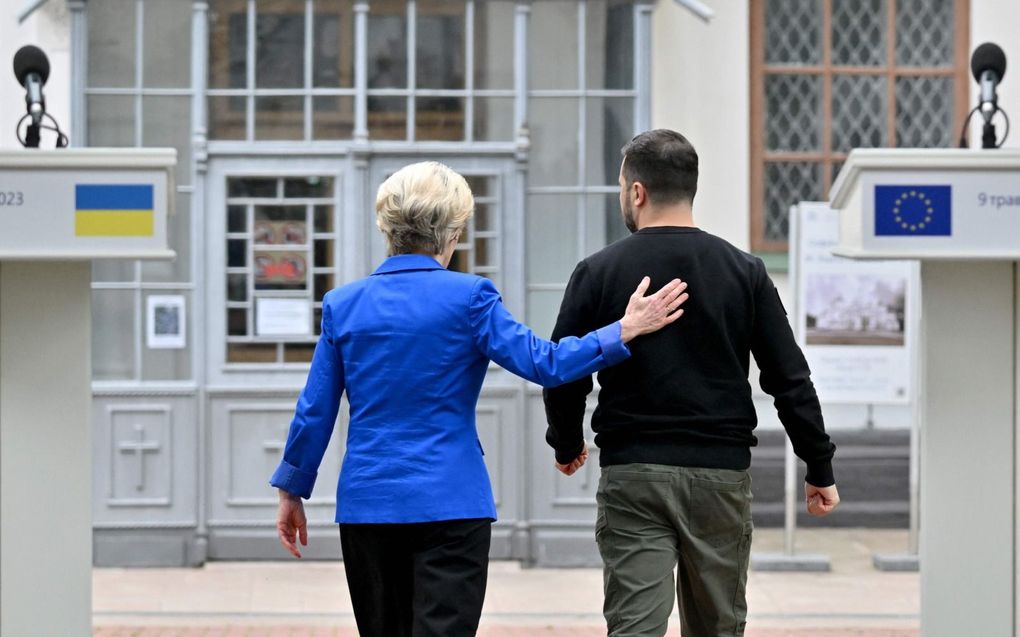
[287, 116]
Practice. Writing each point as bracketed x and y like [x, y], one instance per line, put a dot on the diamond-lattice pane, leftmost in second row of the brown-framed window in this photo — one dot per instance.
[793, 113]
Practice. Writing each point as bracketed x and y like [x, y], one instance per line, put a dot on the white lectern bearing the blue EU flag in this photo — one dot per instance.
[957, 211]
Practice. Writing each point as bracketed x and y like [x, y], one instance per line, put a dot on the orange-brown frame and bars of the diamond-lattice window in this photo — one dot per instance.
[759, 156]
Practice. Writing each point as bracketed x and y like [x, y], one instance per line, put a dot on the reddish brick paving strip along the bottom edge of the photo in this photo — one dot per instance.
[486, 631]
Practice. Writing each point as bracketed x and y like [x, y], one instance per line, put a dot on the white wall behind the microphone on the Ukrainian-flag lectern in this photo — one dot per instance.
[48, 29]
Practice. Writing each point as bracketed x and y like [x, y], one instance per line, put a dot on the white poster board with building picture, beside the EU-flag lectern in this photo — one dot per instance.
[855, 321]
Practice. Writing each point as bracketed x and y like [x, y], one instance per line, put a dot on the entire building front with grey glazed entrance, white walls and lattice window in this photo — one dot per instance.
[287, 116]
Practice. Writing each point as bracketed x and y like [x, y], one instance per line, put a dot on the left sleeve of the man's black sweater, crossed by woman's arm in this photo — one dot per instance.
[566, 404]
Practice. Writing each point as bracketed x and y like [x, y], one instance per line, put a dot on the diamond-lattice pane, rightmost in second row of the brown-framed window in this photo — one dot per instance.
[925, 113]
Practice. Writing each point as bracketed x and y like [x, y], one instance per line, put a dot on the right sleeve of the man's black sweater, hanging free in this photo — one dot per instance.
[785, 376]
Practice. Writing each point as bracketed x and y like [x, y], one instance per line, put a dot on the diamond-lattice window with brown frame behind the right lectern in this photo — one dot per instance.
[831, 76]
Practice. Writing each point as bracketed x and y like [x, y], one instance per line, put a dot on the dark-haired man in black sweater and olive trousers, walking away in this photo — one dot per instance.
[675, 422]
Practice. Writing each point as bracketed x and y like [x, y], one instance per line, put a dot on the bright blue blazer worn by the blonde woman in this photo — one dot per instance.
[411, 346]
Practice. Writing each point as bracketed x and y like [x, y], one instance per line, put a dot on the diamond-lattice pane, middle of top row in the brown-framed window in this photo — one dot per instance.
[859, 33]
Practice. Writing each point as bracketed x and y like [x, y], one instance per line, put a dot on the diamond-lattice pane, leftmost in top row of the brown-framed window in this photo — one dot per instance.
[793, 32]
